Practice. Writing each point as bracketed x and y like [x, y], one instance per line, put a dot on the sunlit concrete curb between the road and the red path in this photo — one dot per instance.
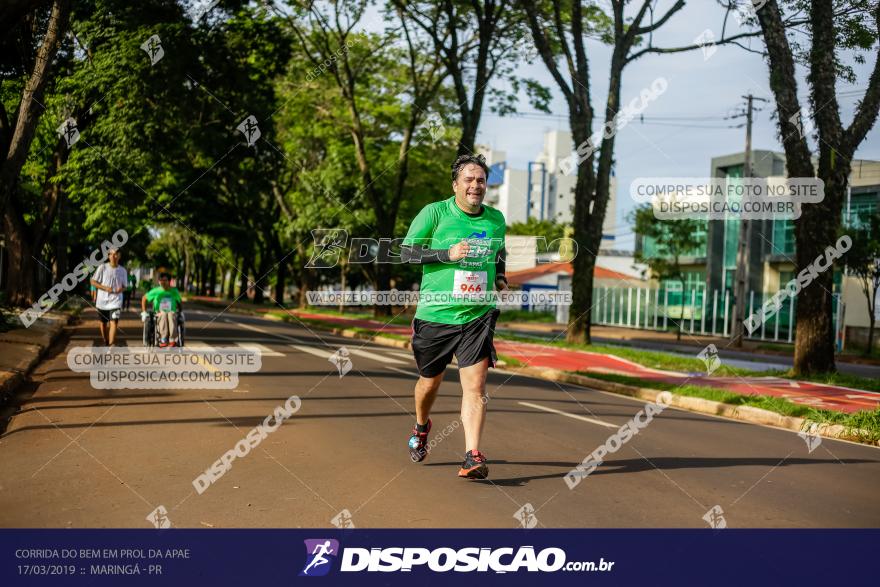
[748, 414]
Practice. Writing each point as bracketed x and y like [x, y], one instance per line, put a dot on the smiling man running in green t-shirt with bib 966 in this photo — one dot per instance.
[460, 242]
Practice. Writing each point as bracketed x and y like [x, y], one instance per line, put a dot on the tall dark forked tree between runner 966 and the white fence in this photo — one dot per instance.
[560, 30]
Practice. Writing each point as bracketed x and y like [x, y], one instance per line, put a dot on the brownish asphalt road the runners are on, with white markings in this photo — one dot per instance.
[76, 456]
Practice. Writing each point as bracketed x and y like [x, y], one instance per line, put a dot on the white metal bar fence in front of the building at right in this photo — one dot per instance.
[698, 311]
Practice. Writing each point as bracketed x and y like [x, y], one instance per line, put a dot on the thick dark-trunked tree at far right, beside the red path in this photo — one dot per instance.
[834, 27]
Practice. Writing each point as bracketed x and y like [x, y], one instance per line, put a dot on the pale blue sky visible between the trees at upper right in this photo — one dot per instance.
[697, 87]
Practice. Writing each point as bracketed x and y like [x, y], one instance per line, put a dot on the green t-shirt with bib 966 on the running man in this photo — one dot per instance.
[456, 292]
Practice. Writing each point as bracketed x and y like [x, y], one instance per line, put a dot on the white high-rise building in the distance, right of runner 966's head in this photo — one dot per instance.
[541, 191]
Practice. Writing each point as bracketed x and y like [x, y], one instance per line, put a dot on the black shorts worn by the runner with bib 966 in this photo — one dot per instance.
[434, 343]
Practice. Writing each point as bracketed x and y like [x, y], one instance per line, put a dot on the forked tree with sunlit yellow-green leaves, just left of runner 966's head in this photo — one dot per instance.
[367, 71]
